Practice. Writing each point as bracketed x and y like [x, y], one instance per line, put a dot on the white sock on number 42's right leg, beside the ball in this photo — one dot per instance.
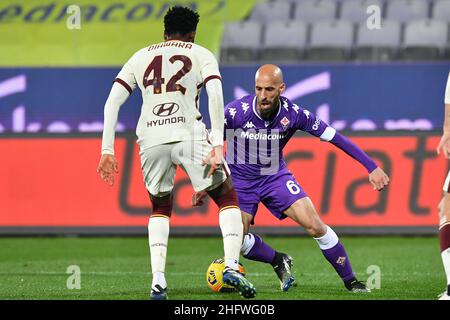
[230, 222]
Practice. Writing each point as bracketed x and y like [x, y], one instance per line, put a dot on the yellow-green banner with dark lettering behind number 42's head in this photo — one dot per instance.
[35, 32]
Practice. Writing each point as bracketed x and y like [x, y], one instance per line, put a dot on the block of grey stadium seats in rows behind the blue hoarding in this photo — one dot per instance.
[336, 30]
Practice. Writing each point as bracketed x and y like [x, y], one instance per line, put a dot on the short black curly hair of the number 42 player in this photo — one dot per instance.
[180, 20]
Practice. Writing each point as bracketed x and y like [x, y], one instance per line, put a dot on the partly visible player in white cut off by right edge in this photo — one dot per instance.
[444, 205]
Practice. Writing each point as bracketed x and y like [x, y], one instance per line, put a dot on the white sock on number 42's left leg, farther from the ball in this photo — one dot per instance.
[158, 237]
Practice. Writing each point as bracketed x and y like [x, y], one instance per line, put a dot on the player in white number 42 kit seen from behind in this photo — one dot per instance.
[170, 132]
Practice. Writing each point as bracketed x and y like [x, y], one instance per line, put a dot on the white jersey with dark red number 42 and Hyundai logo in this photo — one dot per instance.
[170, 75]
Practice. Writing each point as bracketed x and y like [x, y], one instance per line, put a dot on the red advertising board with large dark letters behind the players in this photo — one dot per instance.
[49, 185]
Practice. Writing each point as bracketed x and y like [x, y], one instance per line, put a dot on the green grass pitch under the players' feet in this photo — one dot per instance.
[119, 268]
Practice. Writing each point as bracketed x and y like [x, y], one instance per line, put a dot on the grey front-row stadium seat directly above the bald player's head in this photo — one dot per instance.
[284, 41]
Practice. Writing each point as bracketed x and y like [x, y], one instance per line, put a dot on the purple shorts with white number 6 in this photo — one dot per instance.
[277, 192]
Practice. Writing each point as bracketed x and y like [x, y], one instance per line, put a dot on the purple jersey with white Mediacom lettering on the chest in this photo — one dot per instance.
[258, 145]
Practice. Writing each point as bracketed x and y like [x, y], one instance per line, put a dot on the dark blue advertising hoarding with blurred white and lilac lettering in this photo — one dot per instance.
[352, 97]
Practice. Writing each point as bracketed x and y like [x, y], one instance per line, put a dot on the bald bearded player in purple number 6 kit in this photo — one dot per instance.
[260, 174]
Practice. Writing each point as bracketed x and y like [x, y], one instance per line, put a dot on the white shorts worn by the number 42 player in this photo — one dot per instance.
[159, 164]
